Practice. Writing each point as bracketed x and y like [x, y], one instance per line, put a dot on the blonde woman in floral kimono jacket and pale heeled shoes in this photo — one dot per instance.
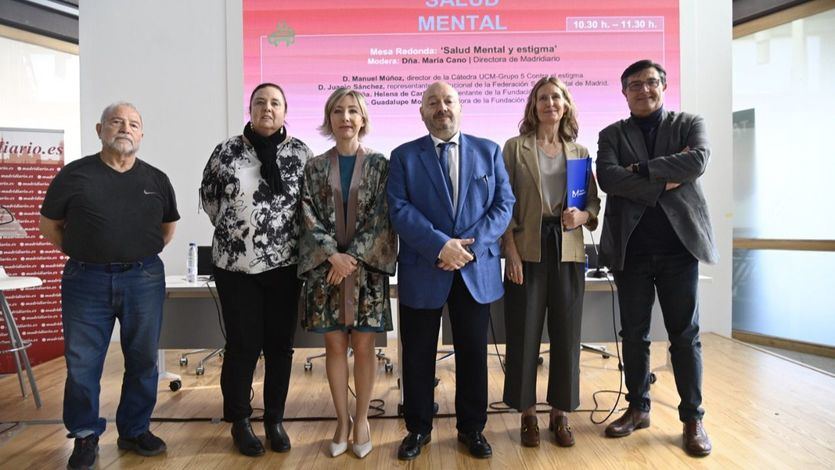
[347, 251]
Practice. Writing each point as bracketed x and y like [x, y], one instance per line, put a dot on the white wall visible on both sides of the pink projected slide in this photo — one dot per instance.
[180, 63]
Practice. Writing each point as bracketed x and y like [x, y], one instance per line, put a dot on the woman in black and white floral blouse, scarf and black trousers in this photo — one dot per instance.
[250, 191]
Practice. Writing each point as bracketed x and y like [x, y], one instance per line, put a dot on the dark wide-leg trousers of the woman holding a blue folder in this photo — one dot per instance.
[556, 288]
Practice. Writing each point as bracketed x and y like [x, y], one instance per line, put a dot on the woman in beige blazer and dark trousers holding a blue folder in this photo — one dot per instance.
[545, 256]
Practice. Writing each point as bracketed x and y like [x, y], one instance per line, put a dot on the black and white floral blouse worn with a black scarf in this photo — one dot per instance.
[255, 231]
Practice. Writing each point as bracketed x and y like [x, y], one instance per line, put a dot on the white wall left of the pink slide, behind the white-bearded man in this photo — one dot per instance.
[169, 59]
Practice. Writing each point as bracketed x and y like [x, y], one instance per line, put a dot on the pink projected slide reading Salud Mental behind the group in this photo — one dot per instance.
[492, 51]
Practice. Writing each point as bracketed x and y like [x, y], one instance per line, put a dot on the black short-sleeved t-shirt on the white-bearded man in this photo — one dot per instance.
[110, 216]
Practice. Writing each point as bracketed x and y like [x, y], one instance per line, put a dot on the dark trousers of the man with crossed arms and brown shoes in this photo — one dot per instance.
[675, 278]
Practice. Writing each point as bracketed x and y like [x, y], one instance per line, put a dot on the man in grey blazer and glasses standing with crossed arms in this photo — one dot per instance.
[655, 231]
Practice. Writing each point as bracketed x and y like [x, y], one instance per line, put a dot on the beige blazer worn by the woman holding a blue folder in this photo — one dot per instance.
[522, 163]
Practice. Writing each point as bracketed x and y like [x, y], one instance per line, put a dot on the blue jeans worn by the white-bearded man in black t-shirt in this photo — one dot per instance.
[93, 297]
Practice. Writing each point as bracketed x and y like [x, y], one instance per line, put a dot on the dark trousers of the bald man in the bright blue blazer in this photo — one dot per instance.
[419, 335]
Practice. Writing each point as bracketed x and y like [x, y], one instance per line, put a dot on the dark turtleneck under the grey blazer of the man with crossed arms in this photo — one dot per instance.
[654, 235]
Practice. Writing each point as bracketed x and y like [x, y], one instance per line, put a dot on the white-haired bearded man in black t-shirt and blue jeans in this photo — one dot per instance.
[112, 214]
